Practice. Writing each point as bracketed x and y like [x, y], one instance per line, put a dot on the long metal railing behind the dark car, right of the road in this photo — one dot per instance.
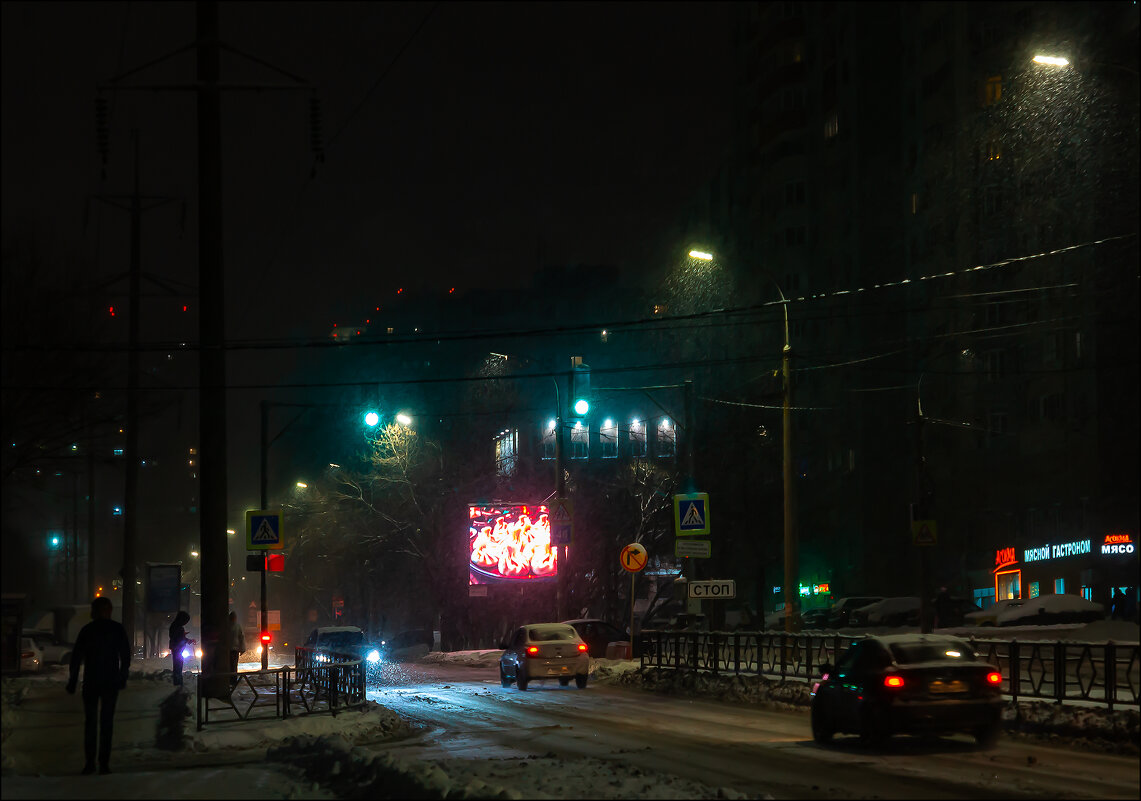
[1104, 673]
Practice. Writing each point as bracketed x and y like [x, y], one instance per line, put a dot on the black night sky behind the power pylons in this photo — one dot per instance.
[501, 133]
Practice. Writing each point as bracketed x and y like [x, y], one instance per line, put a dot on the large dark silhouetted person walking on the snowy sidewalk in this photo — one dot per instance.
[103, 649]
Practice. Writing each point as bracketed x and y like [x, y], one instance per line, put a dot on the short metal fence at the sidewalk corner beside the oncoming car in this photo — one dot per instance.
[306, 687]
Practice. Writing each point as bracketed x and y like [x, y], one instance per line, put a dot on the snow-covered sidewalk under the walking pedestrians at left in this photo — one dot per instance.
[43, 751]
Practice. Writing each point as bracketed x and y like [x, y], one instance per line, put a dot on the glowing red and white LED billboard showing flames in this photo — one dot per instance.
[509, 544]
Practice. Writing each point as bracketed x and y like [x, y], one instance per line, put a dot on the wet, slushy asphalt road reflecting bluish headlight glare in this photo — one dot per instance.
[755, 751]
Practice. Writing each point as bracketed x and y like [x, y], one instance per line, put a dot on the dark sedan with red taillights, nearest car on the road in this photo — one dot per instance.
[909, 684]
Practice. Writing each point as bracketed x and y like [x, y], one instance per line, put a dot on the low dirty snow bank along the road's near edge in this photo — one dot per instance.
[355, 773]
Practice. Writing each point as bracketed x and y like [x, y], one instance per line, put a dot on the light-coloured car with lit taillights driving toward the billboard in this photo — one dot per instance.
[539, 652]
